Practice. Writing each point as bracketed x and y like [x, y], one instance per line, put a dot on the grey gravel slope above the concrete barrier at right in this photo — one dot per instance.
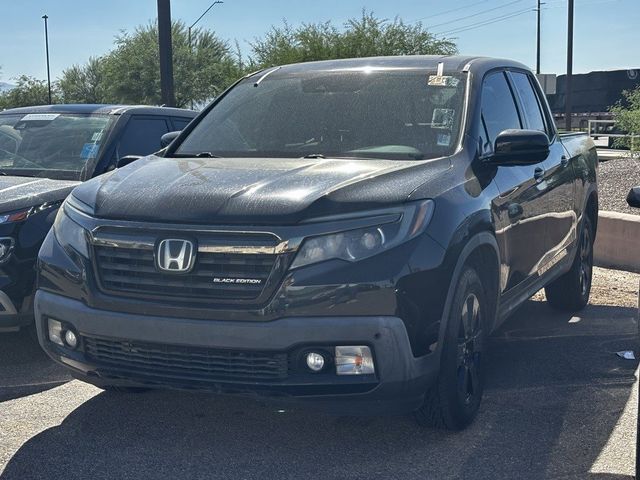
[616, 177]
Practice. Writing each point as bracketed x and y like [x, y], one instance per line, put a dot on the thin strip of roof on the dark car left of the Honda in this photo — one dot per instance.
[101, 108]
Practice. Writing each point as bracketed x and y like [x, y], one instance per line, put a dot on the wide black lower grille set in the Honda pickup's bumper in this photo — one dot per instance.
[173, 364]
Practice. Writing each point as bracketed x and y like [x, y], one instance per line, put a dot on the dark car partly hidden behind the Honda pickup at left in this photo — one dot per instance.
[45, 152]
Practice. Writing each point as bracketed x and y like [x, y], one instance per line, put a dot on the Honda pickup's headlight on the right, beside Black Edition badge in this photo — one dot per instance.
[354, 245]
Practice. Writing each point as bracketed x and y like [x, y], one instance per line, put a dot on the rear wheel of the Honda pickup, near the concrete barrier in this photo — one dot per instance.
[570, 292]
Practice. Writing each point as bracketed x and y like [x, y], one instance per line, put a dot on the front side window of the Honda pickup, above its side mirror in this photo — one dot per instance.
[499, 110]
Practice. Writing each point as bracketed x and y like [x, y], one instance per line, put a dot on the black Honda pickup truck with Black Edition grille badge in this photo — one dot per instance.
[343, 233]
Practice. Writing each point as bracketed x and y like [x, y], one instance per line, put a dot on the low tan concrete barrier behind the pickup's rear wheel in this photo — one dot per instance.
[617, 241]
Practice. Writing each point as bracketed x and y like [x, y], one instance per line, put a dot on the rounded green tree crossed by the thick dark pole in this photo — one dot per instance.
[202, 71]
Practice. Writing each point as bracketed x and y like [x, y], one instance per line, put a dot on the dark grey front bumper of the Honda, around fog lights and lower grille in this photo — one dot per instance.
[397, 387]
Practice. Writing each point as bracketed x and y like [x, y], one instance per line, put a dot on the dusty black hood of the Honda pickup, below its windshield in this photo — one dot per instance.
[256, 191]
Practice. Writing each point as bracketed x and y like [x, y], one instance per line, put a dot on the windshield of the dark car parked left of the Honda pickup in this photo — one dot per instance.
[50, 145]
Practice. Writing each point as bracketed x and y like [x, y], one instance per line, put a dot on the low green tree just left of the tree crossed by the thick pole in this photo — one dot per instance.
[84, 83]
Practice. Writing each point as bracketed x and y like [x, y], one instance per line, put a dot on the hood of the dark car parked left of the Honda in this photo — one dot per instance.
[25, 192]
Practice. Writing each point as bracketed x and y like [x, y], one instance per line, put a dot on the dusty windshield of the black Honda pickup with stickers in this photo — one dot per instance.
[380, 113]
